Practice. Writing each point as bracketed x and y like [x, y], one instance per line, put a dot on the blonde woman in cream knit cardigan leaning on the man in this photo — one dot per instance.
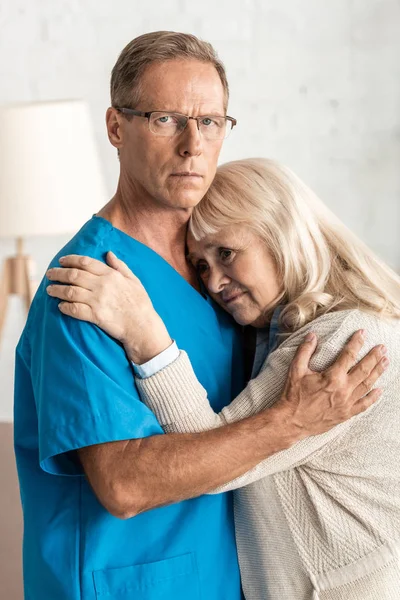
[321, 519]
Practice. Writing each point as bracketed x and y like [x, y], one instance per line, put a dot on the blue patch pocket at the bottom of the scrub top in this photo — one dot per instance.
[171, 578]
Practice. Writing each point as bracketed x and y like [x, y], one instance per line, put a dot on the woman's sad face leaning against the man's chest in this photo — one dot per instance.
[238, 272]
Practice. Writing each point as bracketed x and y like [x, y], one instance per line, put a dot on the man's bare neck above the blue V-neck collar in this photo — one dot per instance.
[163, 230]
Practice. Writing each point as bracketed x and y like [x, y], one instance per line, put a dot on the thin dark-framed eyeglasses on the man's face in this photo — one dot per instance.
[168, 124]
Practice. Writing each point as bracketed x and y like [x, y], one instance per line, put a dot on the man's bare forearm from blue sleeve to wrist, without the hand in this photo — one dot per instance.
[133, 476]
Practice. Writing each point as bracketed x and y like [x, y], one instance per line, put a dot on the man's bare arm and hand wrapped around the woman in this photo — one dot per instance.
[133, 476]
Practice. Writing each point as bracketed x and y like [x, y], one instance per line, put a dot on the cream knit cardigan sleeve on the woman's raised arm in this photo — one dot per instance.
[180, 402]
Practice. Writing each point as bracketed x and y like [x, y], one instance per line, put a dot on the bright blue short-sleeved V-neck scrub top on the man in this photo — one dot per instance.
[75, 387]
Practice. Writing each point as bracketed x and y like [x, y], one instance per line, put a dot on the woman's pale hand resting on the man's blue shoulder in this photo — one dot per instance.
[111, 297]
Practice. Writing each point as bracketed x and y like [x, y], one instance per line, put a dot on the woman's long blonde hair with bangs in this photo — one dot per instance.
[323, 266]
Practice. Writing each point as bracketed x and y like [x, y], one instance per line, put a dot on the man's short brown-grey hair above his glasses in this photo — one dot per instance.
[158, 46]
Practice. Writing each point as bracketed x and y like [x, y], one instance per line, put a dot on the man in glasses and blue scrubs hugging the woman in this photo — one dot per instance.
[91, 460]
